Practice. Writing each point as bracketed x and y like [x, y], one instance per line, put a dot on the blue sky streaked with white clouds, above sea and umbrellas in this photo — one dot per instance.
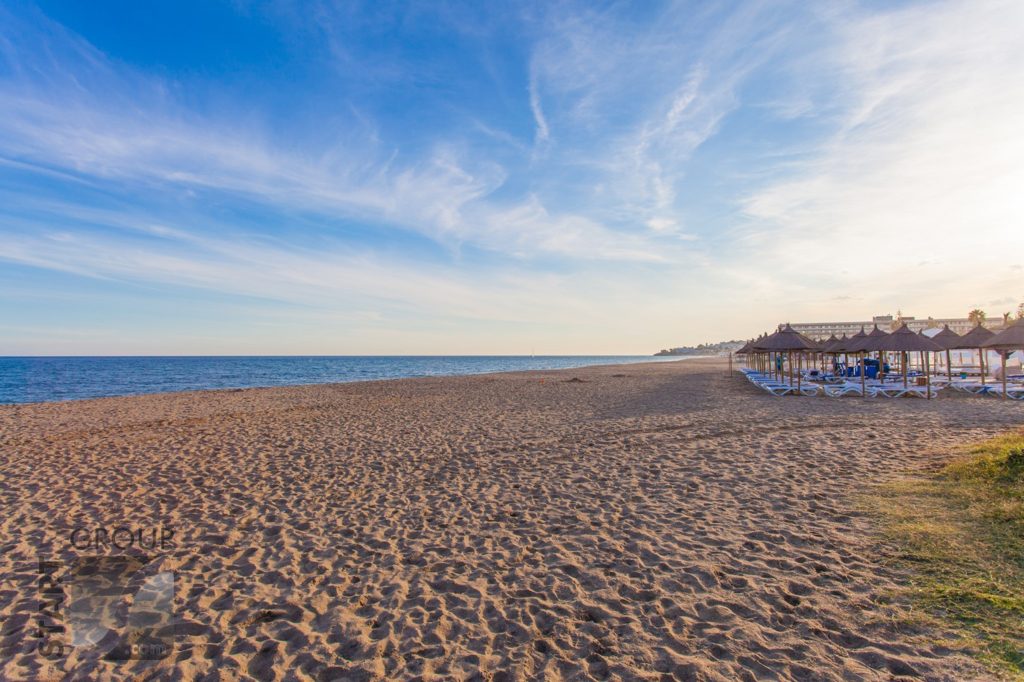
[208, 178]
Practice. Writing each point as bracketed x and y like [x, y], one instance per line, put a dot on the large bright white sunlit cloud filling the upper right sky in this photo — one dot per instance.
[920, 166]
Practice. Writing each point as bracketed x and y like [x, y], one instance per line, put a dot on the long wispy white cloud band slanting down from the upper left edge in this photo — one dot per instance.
[149, 140]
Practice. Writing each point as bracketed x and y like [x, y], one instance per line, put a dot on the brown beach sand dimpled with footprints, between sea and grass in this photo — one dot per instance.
[646, 522]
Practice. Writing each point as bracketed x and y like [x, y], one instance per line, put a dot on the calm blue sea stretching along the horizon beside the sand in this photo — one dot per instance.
[45, 379]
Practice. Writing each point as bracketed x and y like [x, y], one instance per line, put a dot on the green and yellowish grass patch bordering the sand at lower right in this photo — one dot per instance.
[960, 533]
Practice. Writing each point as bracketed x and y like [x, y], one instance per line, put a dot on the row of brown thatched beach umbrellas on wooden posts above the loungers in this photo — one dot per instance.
[904, 340]
